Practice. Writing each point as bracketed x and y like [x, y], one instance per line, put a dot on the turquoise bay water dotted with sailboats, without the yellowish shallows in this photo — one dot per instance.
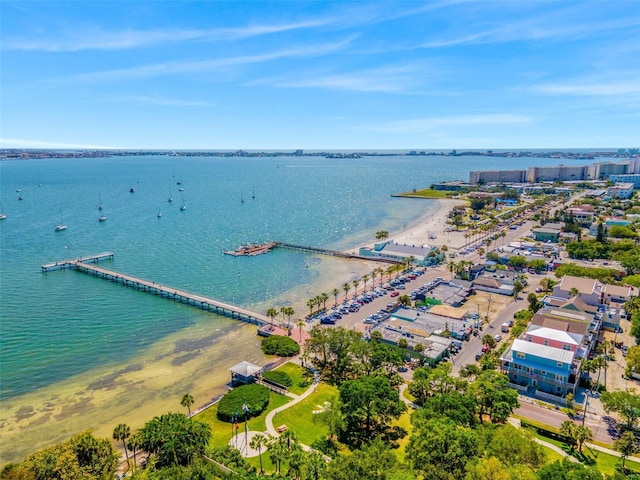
[60, 324]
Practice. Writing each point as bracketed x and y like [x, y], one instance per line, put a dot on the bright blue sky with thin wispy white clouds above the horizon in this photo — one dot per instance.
[320, 75]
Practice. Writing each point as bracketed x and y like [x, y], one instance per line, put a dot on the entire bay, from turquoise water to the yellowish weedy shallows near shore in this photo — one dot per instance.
[77, 352]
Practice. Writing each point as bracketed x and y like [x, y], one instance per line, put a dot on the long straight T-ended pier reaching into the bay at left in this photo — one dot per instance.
[154, 288]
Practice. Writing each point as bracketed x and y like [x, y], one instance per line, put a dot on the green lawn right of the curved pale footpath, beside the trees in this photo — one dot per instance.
[299, 418]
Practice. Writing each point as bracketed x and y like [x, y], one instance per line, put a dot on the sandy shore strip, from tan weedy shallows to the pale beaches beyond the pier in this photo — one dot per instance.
[194, 360]
